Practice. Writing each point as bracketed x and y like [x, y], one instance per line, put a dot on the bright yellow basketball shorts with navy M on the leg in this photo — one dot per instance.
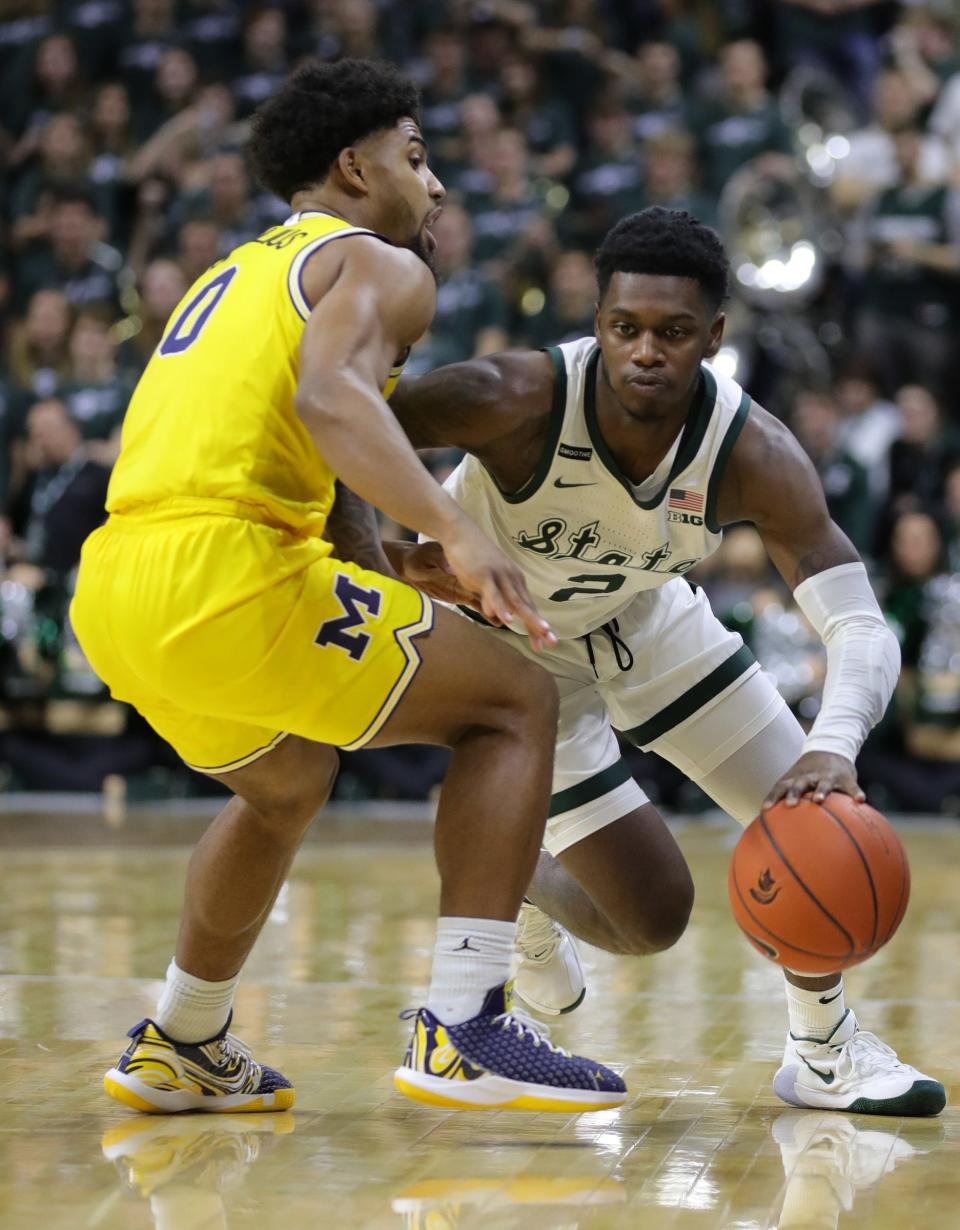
[228, 635]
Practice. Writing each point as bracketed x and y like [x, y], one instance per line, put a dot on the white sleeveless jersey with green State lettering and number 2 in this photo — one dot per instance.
[586, 538]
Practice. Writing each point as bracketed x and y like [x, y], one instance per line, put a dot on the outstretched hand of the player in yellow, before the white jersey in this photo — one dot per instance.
[495, 582]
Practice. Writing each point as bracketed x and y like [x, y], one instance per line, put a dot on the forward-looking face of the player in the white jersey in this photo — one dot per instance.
[654, 331]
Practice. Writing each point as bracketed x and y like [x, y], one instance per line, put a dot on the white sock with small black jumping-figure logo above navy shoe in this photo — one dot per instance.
[470, 958]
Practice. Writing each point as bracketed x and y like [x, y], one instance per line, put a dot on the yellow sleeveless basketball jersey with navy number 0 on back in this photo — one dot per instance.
[212, 418]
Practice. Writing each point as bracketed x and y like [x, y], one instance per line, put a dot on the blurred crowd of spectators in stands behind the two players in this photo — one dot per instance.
[820, 137]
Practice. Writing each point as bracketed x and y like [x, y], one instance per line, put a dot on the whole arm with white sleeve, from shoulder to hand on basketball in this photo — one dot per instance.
[771, 483]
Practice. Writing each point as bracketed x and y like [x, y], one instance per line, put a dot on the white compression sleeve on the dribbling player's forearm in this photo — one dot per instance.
[863, 657]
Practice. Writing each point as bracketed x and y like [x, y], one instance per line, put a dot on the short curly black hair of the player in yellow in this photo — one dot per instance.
[319, 111]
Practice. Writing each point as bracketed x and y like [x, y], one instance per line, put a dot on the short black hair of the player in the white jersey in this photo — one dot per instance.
[665, 242]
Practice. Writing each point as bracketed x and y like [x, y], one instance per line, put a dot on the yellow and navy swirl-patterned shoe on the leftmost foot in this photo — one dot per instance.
[162, 1077]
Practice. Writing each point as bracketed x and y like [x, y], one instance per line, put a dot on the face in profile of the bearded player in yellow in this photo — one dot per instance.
[406, 191]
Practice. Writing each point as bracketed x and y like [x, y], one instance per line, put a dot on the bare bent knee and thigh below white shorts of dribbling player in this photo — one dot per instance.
[638, 879]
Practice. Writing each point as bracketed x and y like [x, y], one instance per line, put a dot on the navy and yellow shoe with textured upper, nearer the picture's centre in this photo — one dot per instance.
[497, 1061]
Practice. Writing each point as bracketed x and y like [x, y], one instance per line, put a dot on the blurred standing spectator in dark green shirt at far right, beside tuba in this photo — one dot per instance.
[909, 318]
